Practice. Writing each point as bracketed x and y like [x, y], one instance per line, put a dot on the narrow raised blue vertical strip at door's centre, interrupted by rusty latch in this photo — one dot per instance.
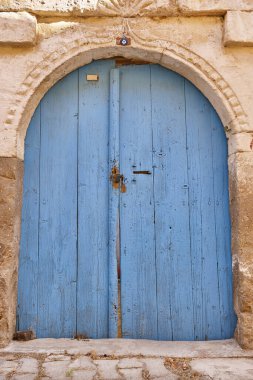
[113, 205]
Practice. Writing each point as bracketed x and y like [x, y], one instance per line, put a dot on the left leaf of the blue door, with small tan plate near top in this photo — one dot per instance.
[63, 272]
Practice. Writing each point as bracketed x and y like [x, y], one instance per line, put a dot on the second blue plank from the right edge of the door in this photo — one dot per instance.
[202, 215]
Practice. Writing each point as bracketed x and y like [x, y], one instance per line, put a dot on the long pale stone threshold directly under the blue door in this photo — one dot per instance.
[130, 347]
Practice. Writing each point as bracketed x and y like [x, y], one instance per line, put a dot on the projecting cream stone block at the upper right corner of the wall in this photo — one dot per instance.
[238, 29]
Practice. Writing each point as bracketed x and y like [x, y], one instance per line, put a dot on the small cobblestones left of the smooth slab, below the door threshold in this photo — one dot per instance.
[89, 367]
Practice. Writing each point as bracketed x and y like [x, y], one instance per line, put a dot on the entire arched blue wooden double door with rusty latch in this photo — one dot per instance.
[125, 203]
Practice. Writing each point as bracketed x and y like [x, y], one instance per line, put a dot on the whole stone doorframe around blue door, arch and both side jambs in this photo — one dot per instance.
[73, 54]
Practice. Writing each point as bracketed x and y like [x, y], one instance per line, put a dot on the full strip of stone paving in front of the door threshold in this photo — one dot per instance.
[93, 367]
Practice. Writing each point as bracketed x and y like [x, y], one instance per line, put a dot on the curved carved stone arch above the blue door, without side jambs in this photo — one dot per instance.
[82, 50]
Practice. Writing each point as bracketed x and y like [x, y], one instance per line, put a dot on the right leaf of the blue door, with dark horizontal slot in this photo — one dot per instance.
[176, 277]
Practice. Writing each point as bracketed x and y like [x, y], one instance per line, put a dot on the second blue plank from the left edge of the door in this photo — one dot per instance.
[58, 211]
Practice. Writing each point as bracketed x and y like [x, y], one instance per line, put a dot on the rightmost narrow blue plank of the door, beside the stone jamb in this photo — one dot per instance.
[222, 226]
